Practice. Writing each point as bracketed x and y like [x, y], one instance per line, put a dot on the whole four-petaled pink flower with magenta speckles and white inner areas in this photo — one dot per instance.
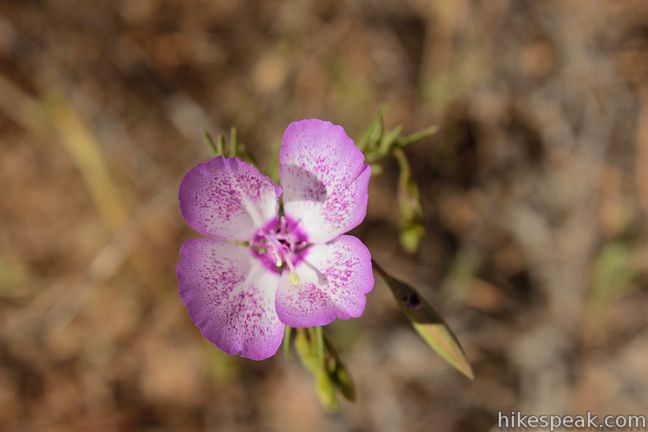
[258, 268]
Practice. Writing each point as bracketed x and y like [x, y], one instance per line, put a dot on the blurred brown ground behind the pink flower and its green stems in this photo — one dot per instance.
[534, 191]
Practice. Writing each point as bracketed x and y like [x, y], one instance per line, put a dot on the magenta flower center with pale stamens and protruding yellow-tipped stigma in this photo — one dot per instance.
[280, 244]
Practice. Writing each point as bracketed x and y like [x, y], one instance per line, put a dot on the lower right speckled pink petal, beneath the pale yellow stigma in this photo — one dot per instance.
[333, 283]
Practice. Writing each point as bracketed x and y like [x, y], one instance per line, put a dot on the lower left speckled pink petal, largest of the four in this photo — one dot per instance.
[230, 297]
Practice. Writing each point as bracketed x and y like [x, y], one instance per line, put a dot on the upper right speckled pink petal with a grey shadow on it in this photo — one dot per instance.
[324, 179]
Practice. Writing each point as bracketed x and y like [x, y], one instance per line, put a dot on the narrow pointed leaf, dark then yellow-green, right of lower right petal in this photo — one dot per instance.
[427, 322]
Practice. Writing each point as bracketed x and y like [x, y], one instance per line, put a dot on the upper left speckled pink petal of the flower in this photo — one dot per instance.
[227, 198]
